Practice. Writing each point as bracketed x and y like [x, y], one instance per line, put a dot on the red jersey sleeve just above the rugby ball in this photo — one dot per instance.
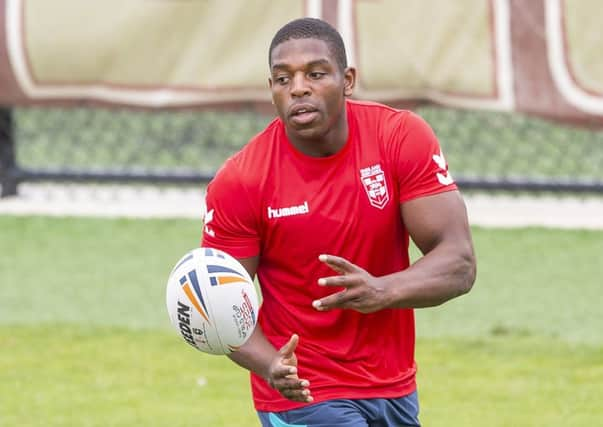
[230, 221]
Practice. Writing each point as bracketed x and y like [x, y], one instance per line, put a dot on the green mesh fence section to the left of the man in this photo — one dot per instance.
[121, 140]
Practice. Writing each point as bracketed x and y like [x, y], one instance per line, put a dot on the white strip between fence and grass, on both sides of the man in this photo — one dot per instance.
[179, 202]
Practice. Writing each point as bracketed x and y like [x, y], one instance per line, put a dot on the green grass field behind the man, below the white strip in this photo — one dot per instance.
[85, 339]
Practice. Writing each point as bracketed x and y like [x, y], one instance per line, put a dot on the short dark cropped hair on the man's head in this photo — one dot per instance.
[311, 28]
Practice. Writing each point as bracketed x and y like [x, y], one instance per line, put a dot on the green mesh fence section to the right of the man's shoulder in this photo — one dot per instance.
[499, 146]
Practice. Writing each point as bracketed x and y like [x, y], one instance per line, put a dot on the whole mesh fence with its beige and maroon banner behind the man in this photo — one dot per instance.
[134, 92]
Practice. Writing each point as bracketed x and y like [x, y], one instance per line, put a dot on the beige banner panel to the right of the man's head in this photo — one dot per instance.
[428, 44]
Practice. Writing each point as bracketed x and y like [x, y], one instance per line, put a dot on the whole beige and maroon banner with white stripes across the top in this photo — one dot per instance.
[536, 56]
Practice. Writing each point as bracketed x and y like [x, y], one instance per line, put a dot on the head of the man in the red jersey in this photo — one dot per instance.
[309, 81]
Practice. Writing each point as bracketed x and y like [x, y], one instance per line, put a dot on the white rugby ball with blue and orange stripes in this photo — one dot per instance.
[211, 301]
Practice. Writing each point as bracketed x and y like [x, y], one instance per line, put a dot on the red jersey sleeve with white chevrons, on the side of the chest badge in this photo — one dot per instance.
[420, 165]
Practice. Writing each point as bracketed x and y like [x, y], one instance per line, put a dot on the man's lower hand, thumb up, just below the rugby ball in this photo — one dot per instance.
[283, 376]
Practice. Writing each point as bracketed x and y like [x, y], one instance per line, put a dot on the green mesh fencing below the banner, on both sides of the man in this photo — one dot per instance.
[486, 150]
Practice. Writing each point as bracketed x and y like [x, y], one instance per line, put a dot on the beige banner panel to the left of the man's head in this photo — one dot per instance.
[153, 42]
